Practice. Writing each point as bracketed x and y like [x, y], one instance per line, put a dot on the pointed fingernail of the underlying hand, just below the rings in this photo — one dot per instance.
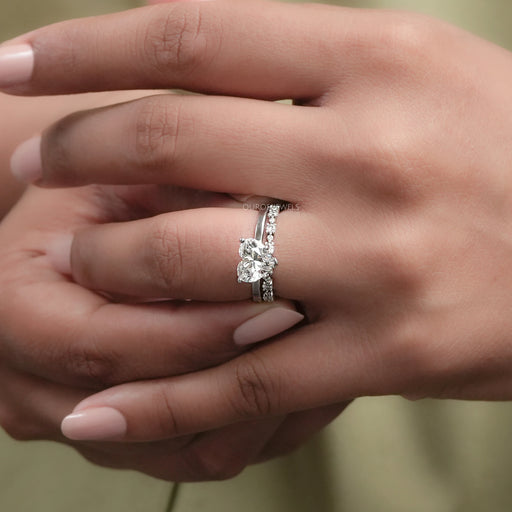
[271, 322]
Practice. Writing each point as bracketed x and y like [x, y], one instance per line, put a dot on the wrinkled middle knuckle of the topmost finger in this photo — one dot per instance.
[175, 42]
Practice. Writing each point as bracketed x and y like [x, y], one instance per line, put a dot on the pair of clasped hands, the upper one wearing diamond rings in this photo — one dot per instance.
[396, 154]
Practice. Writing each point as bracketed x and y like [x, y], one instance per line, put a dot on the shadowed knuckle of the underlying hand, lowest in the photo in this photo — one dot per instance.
[211, 464]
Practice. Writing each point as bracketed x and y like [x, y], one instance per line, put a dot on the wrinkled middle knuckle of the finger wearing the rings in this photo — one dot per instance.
[165, 254]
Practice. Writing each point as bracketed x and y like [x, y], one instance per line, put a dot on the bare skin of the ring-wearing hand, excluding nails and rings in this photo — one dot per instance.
[397, 152]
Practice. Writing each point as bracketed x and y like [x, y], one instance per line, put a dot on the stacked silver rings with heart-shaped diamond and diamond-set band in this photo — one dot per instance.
[258, 261]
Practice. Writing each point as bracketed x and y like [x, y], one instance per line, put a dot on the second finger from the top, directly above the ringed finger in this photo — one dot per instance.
[222, 144]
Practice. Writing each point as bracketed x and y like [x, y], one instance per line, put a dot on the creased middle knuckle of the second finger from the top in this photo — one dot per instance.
[158, 124]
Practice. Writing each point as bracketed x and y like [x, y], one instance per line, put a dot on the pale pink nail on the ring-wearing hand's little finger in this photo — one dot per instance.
[95, 424]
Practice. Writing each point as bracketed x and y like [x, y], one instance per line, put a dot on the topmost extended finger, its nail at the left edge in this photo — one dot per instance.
[255, 49]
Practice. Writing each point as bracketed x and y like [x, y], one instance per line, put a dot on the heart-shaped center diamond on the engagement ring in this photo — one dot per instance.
[257, 262]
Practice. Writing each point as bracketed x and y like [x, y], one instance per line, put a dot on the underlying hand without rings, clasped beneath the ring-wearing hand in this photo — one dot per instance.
[58, 341]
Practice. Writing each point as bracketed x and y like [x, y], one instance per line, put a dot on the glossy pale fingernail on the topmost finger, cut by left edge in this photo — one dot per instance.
[16, 64]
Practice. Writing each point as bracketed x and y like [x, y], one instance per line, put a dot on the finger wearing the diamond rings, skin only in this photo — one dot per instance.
[188, 255]
